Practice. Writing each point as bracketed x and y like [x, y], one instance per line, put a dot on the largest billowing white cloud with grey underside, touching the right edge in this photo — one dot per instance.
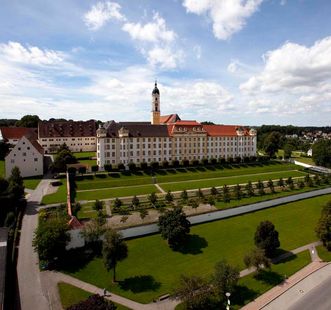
[294, 79]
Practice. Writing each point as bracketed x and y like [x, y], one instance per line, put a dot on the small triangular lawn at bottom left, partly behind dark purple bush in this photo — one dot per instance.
[71, 295]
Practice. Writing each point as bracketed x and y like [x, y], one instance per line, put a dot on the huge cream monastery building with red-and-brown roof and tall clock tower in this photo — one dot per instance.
[169, 138]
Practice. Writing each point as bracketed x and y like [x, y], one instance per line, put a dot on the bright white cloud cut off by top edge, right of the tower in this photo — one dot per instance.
[227, 16]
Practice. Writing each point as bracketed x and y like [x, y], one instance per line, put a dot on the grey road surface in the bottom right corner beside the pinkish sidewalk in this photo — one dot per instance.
[313, 292]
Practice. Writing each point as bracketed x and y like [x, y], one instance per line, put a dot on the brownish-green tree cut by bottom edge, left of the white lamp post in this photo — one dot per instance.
[194, 291]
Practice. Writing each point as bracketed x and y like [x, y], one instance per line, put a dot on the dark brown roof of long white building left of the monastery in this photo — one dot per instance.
[50, 129]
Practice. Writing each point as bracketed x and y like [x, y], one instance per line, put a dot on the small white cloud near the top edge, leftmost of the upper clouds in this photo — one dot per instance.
[101, 13]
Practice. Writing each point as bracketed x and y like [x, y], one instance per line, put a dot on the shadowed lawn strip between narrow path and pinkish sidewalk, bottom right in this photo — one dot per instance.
[250, 287]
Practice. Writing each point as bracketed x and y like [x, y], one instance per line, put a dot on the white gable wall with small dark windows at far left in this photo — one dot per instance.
[26, 157]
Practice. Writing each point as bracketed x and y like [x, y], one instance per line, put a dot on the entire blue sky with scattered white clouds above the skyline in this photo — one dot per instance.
[246, 62]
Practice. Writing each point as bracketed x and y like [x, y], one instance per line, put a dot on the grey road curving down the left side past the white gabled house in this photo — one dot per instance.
[30, 288]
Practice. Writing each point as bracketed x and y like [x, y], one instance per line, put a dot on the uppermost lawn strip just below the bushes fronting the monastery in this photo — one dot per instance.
[179, 175]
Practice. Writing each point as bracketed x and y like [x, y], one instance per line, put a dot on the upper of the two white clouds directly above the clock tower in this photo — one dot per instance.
[155, 31]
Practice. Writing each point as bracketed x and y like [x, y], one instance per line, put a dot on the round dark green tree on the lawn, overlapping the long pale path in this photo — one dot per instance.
[174, 226]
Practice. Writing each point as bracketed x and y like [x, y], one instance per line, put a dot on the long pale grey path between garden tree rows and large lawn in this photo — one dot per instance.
[221, 214]
